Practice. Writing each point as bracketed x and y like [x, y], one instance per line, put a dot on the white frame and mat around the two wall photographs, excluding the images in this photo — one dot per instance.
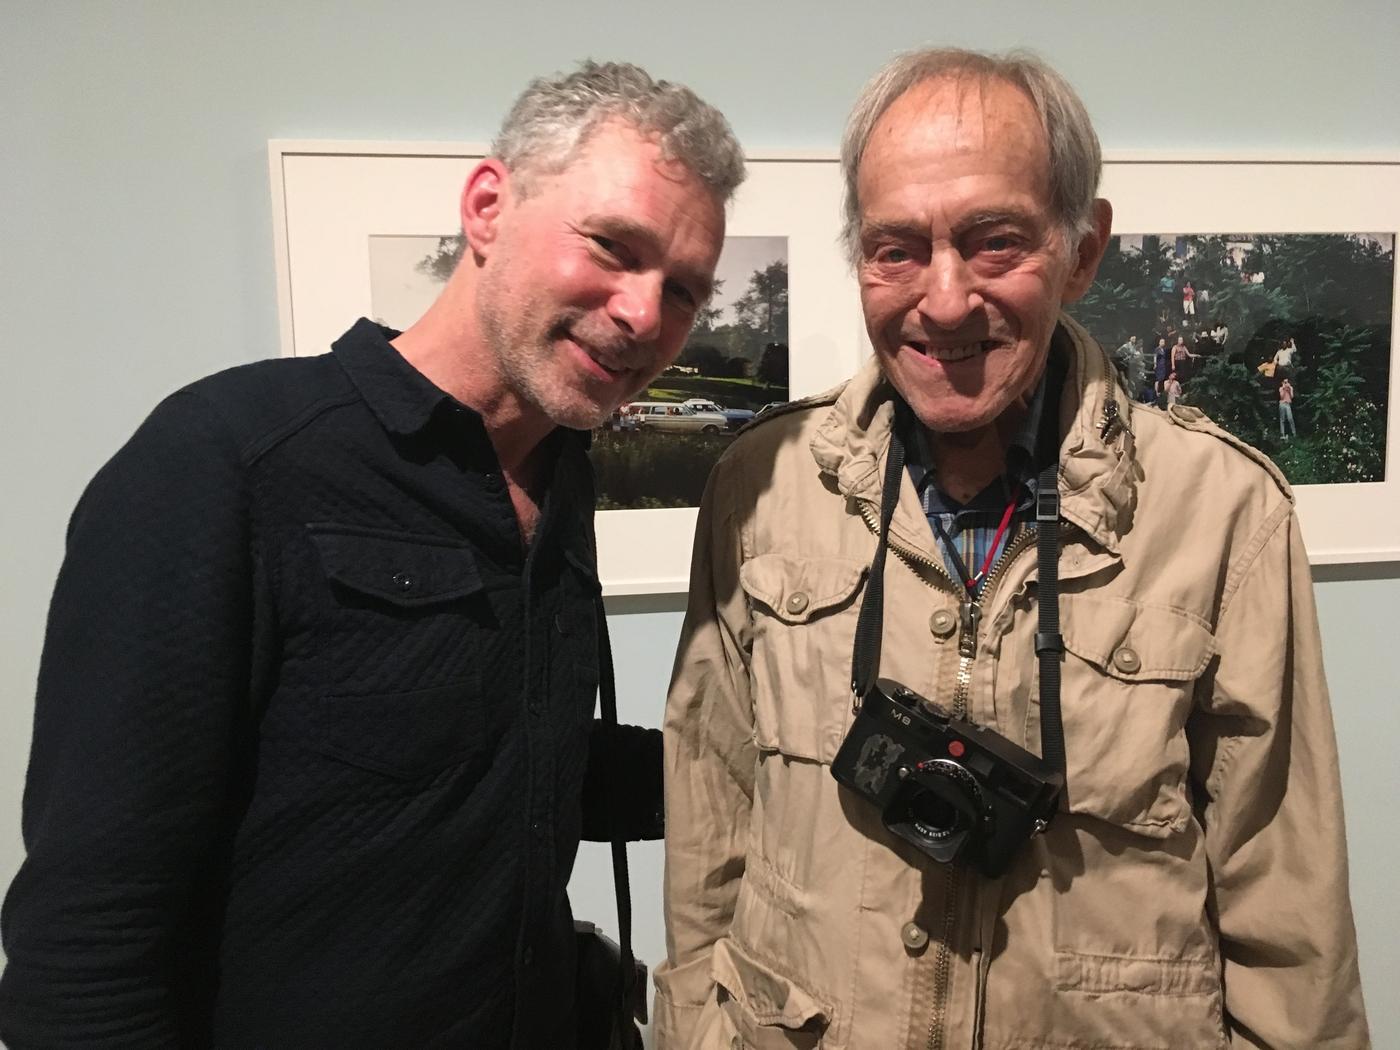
[331, 197]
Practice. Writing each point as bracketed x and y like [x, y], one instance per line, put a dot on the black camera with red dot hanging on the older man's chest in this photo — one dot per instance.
[957, 792]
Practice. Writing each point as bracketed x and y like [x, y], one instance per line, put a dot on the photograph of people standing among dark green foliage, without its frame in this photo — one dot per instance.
[1283, 339]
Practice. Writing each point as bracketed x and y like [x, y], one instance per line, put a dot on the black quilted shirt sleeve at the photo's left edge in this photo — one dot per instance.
[143, 678]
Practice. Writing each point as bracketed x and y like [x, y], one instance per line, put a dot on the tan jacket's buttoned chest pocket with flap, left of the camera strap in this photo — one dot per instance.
[804, 624]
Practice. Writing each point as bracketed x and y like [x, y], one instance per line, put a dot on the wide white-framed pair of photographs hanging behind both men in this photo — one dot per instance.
[1261, 290]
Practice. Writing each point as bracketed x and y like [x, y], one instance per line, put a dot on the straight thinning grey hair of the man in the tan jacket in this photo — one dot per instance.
[1076, 160]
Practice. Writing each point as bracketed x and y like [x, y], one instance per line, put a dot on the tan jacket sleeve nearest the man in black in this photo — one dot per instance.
[710, 771]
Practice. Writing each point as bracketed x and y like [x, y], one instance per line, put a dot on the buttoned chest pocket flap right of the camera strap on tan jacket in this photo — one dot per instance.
[1133, 642]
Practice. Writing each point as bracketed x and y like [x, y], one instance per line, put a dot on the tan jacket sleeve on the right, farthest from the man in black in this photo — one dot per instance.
[1265, 764]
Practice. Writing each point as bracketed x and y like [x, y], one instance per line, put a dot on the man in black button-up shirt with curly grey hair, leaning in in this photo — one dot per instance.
[314, 740]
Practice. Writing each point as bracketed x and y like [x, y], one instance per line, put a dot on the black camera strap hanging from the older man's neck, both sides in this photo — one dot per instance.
[1049, 642]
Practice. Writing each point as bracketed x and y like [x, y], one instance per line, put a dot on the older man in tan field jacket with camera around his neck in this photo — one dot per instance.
[1150, 855]
